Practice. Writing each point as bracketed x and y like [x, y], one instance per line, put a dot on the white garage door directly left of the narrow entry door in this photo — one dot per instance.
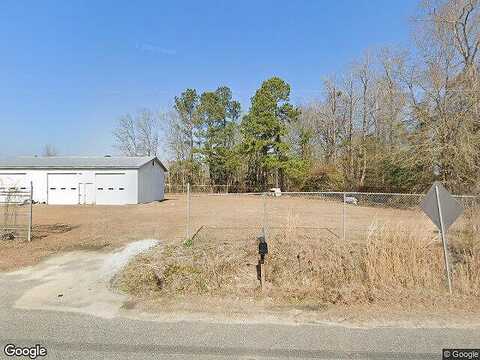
[63, 189]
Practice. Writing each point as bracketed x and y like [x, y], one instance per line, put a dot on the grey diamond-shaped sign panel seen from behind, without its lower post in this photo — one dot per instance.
[450, 207]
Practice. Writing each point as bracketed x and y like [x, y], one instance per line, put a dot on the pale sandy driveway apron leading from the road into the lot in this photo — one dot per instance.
[77, 281]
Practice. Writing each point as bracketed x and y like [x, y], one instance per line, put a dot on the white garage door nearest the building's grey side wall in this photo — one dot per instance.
[110, 189]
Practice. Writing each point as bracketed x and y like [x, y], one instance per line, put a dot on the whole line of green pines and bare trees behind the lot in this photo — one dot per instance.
[396, 120]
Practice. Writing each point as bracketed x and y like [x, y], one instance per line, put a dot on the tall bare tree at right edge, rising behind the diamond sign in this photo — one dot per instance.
[448, 136]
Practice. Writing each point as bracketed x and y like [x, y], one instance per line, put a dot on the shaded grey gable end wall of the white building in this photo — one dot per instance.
[151, 183]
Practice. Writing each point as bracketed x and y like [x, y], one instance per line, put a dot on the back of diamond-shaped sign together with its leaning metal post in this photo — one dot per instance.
[440, 206]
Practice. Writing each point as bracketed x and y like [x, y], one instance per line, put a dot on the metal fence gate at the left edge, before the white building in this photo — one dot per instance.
[16, 213]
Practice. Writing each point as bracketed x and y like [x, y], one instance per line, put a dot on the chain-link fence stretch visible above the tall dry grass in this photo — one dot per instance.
[348, 216]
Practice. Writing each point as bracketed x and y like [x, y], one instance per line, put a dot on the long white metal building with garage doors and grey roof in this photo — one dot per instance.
[86, 180]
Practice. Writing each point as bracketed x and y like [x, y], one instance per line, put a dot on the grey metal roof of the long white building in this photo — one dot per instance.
[76, 162]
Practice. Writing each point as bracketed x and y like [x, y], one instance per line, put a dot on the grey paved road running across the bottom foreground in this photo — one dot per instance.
[68, 335]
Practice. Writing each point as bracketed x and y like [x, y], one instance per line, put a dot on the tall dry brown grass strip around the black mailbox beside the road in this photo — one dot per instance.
[391, 266]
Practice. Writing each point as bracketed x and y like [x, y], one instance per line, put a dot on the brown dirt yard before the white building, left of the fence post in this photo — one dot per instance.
[69, 228]
